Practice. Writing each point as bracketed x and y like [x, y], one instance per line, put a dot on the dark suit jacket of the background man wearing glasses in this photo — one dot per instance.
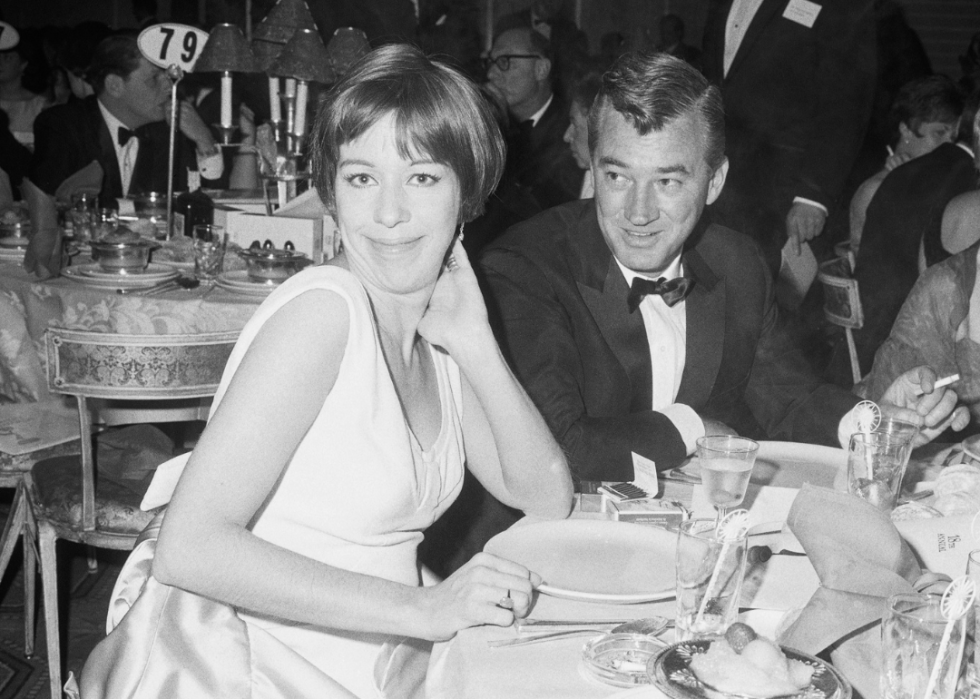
[542, 166]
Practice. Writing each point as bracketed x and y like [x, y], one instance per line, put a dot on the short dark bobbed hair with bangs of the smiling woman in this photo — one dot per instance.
[438, 113]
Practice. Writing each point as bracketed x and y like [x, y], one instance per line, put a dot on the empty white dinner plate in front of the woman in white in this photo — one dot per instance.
[594, 560]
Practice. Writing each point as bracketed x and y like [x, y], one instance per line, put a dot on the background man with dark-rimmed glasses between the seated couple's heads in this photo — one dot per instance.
[538, 161]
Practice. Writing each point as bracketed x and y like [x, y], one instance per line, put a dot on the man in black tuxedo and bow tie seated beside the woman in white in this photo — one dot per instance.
[634, 324]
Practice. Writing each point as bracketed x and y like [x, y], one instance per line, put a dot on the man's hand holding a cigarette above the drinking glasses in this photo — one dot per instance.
[912, 398]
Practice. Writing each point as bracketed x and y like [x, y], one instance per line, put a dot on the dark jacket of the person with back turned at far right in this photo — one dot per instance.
[906, 210]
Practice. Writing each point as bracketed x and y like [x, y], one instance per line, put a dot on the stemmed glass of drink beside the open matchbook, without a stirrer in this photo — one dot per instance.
[726, 466]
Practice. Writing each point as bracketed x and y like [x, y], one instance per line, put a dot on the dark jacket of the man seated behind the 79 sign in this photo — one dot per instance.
[70, 136]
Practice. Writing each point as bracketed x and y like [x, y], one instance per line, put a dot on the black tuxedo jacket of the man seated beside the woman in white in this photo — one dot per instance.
[558, 300]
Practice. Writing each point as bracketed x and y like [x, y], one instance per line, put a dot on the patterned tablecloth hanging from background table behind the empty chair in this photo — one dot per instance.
[28, 306]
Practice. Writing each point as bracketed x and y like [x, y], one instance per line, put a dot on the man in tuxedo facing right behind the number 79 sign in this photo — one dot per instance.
[122, 127]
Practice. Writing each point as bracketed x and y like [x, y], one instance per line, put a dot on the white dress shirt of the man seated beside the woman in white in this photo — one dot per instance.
[666, 329]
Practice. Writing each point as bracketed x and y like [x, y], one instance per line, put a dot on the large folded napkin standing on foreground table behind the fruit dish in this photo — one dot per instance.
[861, 561]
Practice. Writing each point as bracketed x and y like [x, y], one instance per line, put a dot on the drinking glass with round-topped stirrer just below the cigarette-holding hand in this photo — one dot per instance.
[875, 467]
